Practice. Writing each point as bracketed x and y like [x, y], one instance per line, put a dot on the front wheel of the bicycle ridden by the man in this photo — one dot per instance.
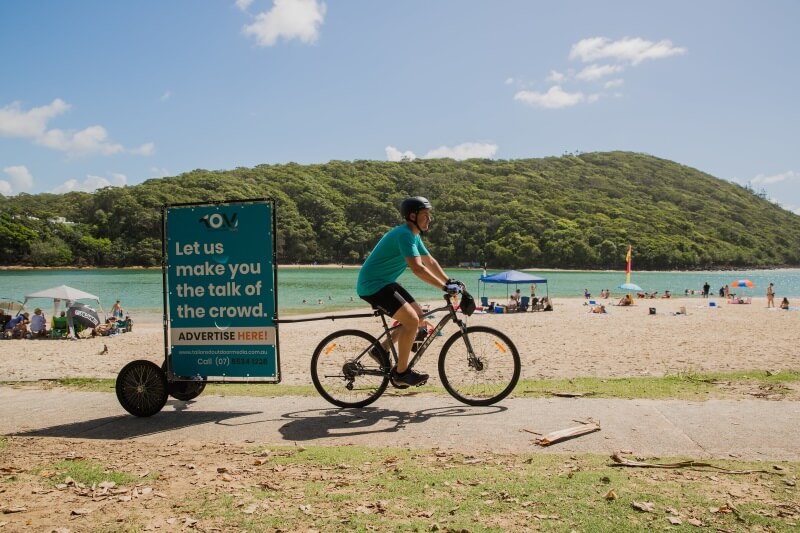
[485, 376]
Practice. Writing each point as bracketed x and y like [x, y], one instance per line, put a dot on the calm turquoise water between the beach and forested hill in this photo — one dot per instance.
[141, 290]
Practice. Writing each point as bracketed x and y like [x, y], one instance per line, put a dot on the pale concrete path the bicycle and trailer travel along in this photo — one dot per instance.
[746, 429]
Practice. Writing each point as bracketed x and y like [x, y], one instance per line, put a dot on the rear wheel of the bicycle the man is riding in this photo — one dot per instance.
[341, 377]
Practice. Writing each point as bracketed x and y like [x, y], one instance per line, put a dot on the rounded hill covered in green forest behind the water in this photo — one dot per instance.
[574, 211]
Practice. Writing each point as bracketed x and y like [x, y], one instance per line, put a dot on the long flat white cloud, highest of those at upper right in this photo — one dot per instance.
[631, 50]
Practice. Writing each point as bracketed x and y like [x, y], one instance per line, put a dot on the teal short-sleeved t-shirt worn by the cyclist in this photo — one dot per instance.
[388, 259]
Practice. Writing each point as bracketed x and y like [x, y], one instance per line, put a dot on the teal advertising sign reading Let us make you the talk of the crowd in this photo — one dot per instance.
[220, 290]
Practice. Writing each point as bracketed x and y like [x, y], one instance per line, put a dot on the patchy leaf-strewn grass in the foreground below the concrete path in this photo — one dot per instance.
[359, 489]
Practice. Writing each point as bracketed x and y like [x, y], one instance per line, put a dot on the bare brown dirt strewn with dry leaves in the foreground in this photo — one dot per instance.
[169, 483]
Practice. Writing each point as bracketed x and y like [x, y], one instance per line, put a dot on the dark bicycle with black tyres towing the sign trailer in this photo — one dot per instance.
[478, 365]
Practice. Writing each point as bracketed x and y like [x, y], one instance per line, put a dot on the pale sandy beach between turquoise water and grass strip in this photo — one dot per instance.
[568, 342]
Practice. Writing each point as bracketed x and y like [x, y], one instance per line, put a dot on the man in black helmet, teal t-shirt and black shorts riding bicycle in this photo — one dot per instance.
[398, 249]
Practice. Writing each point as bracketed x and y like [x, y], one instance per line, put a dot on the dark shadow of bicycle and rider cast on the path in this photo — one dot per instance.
[316, 424]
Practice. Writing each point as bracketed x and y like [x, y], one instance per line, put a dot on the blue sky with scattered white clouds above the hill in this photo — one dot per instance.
[97, 93]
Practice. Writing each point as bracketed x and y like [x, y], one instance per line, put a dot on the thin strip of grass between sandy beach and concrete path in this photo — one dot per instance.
[683, 386]
